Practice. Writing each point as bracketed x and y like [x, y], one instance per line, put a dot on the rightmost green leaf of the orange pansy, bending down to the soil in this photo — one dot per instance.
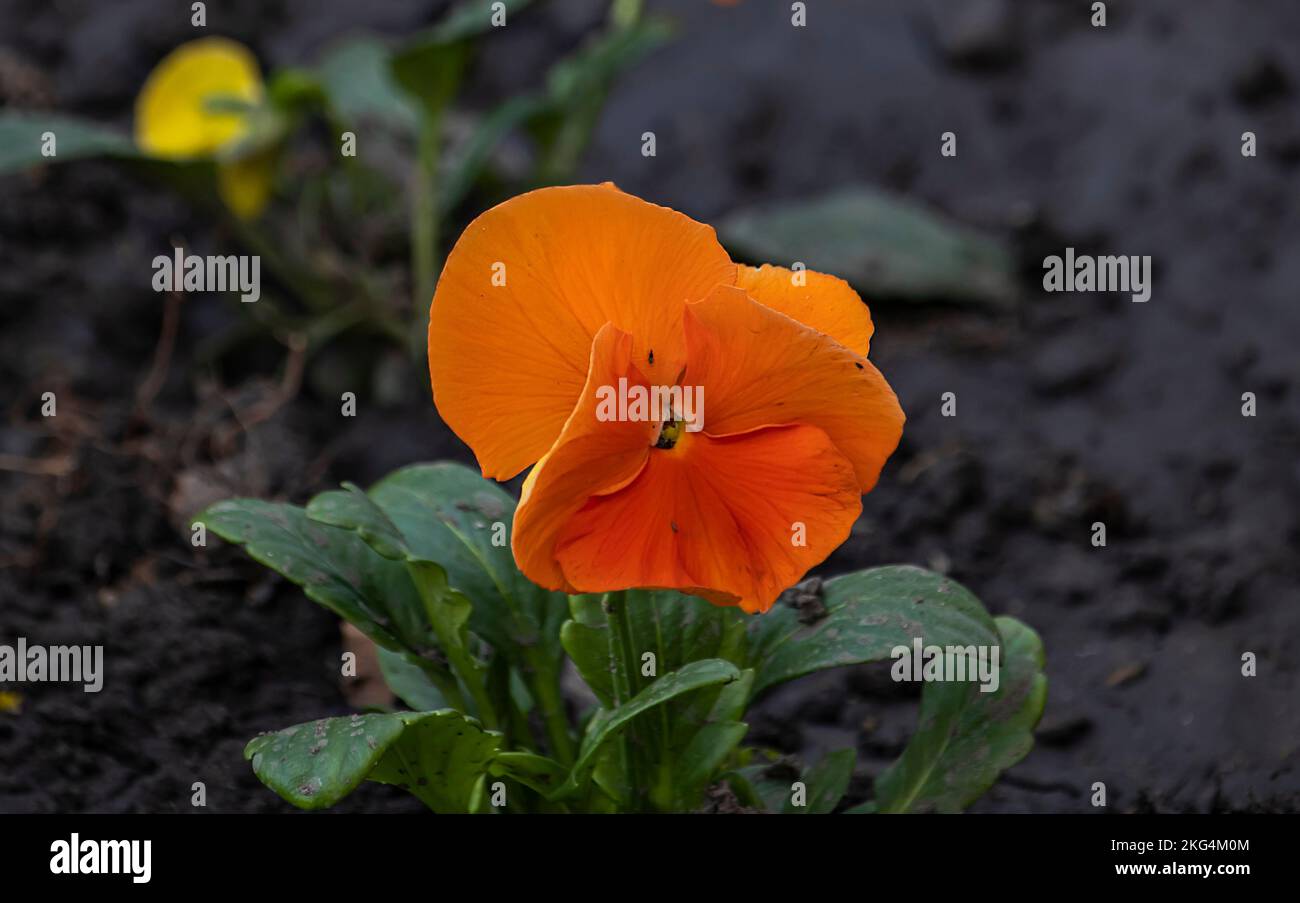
[967, 737]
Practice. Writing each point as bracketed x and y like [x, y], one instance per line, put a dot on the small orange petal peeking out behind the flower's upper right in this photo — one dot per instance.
[826, 303]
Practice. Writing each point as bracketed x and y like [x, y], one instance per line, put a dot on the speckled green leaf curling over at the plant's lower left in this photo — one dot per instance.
[439, 757]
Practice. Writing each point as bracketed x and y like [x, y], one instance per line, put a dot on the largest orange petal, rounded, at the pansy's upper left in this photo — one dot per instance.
[508, 362]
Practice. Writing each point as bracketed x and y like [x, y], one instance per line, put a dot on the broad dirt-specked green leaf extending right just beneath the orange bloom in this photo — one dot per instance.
[869, 614]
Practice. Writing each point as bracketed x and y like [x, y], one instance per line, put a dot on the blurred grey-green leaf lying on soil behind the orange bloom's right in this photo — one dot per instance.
[885, 246]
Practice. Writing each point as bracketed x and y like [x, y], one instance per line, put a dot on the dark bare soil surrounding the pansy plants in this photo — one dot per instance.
[1072, 409]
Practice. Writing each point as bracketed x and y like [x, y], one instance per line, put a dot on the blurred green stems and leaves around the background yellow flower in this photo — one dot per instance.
[356, 241]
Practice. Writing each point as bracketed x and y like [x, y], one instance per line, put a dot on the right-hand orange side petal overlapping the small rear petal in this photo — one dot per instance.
[761, 368]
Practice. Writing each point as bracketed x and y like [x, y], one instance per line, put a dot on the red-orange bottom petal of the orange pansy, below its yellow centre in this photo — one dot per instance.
[718, 518]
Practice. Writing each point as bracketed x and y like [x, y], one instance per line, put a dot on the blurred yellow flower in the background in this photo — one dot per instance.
[189, 110]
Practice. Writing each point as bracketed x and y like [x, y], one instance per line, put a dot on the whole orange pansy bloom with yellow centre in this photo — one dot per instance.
[554, 298]
